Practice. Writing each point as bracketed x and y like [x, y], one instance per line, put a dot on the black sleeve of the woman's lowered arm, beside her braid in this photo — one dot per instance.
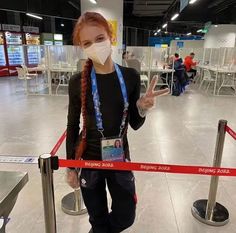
[73, 117]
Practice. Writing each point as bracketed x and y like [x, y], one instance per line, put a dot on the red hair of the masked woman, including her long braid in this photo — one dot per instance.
[88, 18]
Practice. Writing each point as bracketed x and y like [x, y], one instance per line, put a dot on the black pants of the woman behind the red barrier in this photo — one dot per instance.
[121, 185]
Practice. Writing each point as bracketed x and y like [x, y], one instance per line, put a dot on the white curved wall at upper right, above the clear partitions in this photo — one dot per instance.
[222, 36]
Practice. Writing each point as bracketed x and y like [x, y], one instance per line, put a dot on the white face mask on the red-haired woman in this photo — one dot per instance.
[99, 52]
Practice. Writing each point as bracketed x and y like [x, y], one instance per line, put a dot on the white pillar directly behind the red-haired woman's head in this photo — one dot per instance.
[111, 10]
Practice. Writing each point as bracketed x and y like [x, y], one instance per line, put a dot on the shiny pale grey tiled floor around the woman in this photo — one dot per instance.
[180, 130]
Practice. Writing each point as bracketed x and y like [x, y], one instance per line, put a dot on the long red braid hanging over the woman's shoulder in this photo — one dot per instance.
[84, 84]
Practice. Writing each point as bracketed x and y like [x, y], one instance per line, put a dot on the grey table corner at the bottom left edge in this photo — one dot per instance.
[11, 184]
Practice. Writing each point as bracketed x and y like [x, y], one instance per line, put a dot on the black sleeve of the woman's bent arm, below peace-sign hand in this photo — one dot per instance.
[135, 120]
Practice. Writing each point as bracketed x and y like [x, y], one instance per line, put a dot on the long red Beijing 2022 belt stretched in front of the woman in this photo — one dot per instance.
[149, 167]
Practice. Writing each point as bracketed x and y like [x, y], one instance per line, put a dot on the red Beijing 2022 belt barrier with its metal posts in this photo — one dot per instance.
[207, 211]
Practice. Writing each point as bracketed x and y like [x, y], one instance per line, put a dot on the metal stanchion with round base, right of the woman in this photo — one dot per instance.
[209, 211]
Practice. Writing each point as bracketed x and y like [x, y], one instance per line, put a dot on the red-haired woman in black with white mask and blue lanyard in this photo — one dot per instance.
[107, 96]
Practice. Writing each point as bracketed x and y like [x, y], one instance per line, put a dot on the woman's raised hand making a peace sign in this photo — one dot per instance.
[148, 100]
